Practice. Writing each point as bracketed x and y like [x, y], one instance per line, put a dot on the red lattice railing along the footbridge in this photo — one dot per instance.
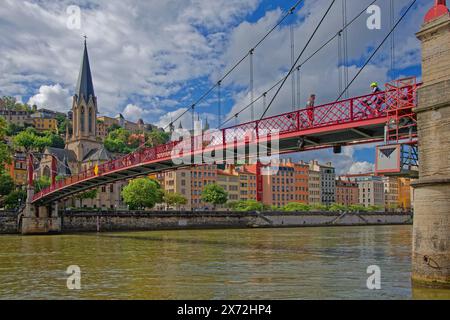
[371, 106]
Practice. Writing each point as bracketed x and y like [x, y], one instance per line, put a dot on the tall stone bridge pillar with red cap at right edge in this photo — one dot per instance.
[431, 239]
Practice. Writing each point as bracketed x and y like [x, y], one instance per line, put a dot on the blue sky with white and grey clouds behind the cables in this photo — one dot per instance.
[151, 59]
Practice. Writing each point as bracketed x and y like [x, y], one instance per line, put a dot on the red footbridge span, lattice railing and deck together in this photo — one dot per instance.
[353, 121]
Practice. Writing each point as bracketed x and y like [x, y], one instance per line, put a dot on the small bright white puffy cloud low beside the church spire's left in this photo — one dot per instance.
[54, 97]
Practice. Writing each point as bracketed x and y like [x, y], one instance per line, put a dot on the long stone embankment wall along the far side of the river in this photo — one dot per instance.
[76, 222]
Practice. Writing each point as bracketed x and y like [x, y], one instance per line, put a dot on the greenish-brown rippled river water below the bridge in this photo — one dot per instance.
[304, 263]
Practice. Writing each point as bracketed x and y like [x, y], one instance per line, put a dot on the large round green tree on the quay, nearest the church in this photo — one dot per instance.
[142, 193]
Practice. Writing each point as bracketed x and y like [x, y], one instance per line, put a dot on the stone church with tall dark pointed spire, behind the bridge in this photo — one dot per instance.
[84, 148]
